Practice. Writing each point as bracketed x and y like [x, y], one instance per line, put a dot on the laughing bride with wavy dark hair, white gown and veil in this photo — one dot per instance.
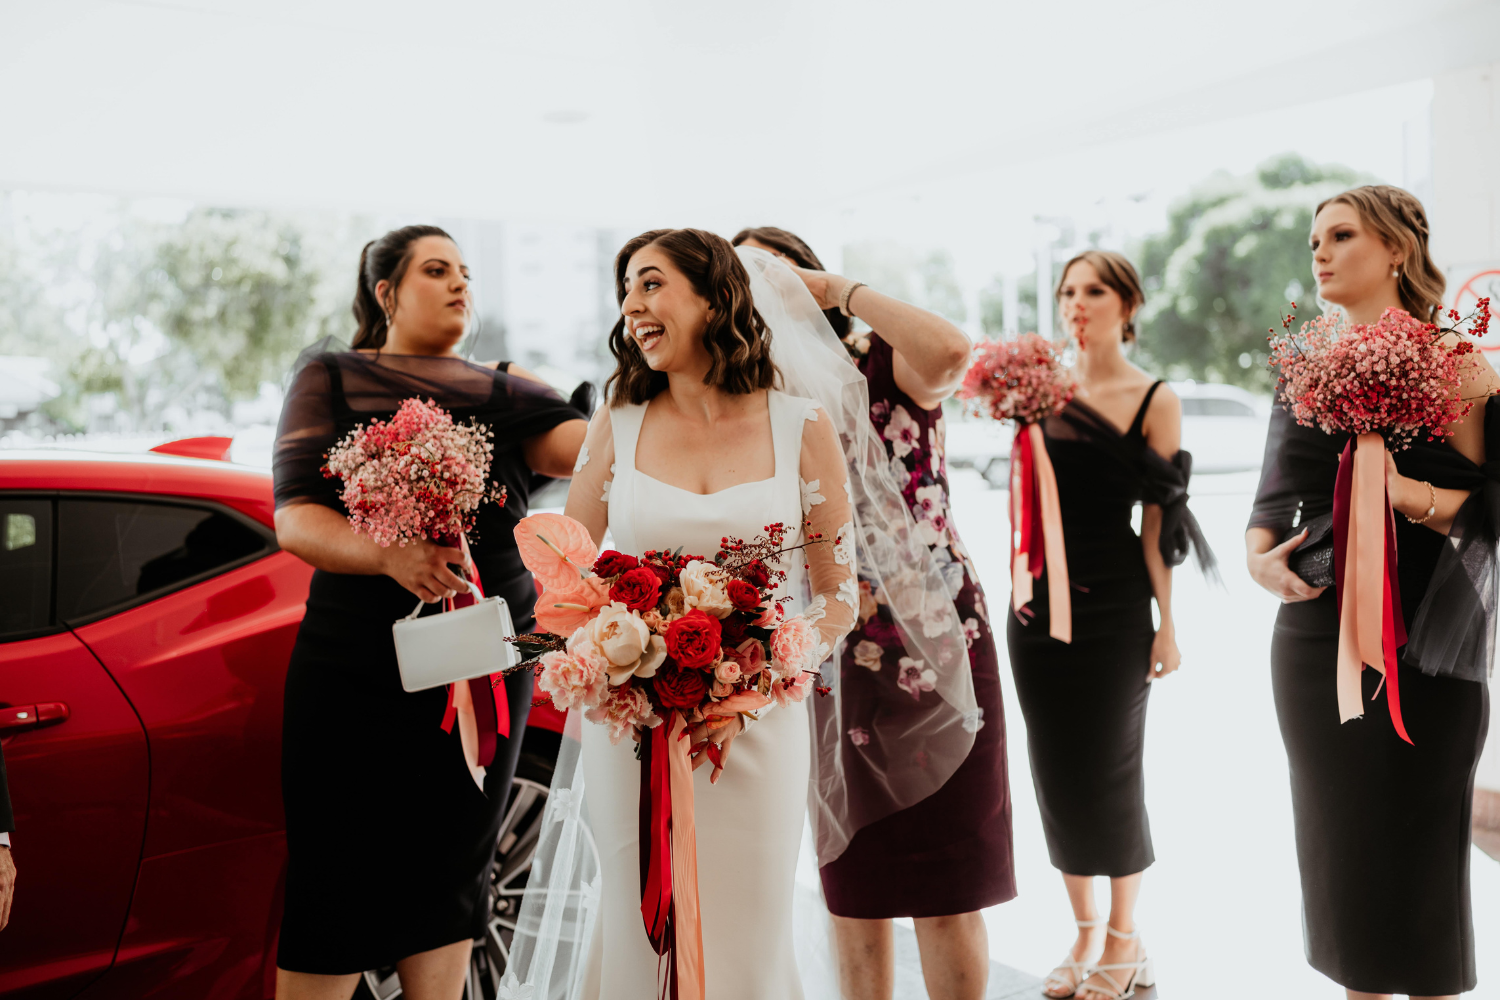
[713, 433]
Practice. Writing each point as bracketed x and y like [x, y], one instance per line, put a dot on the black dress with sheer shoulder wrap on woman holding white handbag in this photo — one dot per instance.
[391, 840]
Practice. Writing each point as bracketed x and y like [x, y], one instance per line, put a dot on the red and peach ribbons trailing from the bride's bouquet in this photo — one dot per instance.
[670, 858]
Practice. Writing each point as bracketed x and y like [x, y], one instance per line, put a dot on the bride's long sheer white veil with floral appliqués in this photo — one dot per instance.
[551, 954]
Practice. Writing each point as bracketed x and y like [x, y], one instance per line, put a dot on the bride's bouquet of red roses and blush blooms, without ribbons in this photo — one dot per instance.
[634, 639]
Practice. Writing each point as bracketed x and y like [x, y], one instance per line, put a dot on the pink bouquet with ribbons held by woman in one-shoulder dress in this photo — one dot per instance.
[1025, 382]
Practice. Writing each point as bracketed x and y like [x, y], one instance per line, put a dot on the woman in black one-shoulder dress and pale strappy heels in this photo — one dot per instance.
[1115, 446]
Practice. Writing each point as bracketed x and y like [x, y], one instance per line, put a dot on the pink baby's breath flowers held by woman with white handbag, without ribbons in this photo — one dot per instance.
[416, 476]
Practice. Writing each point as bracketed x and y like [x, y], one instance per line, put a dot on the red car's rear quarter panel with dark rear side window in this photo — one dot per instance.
[205, 666]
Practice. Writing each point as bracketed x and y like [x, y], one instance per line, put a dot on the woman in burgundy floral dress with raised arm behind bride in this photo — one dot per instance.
[949, 857]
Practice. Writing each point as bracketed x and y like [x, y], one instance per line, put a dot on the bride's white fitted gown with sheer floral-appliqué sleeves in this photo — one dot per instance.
[751, 822]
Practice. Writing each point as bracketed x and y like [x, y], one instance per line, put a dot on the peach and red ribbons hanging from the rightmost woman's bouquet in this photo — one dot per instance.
[1370, 623]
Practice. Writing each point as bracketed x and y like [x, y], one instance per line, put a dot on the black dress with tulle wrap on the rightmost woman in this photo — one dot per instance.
[1382, 825]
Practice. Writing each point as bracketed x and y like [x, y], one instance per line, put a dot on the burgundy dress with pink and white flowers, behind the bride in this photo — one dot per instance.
[952, 852]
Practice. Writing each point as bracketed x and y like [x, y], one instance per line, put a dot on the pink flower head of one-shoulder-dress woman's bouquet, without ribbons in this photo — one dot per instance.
[1021, 380]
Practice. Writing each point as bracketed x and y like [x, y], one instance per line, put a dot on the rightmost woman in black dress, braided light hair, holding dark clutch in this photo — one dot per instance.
[1384, 825]
